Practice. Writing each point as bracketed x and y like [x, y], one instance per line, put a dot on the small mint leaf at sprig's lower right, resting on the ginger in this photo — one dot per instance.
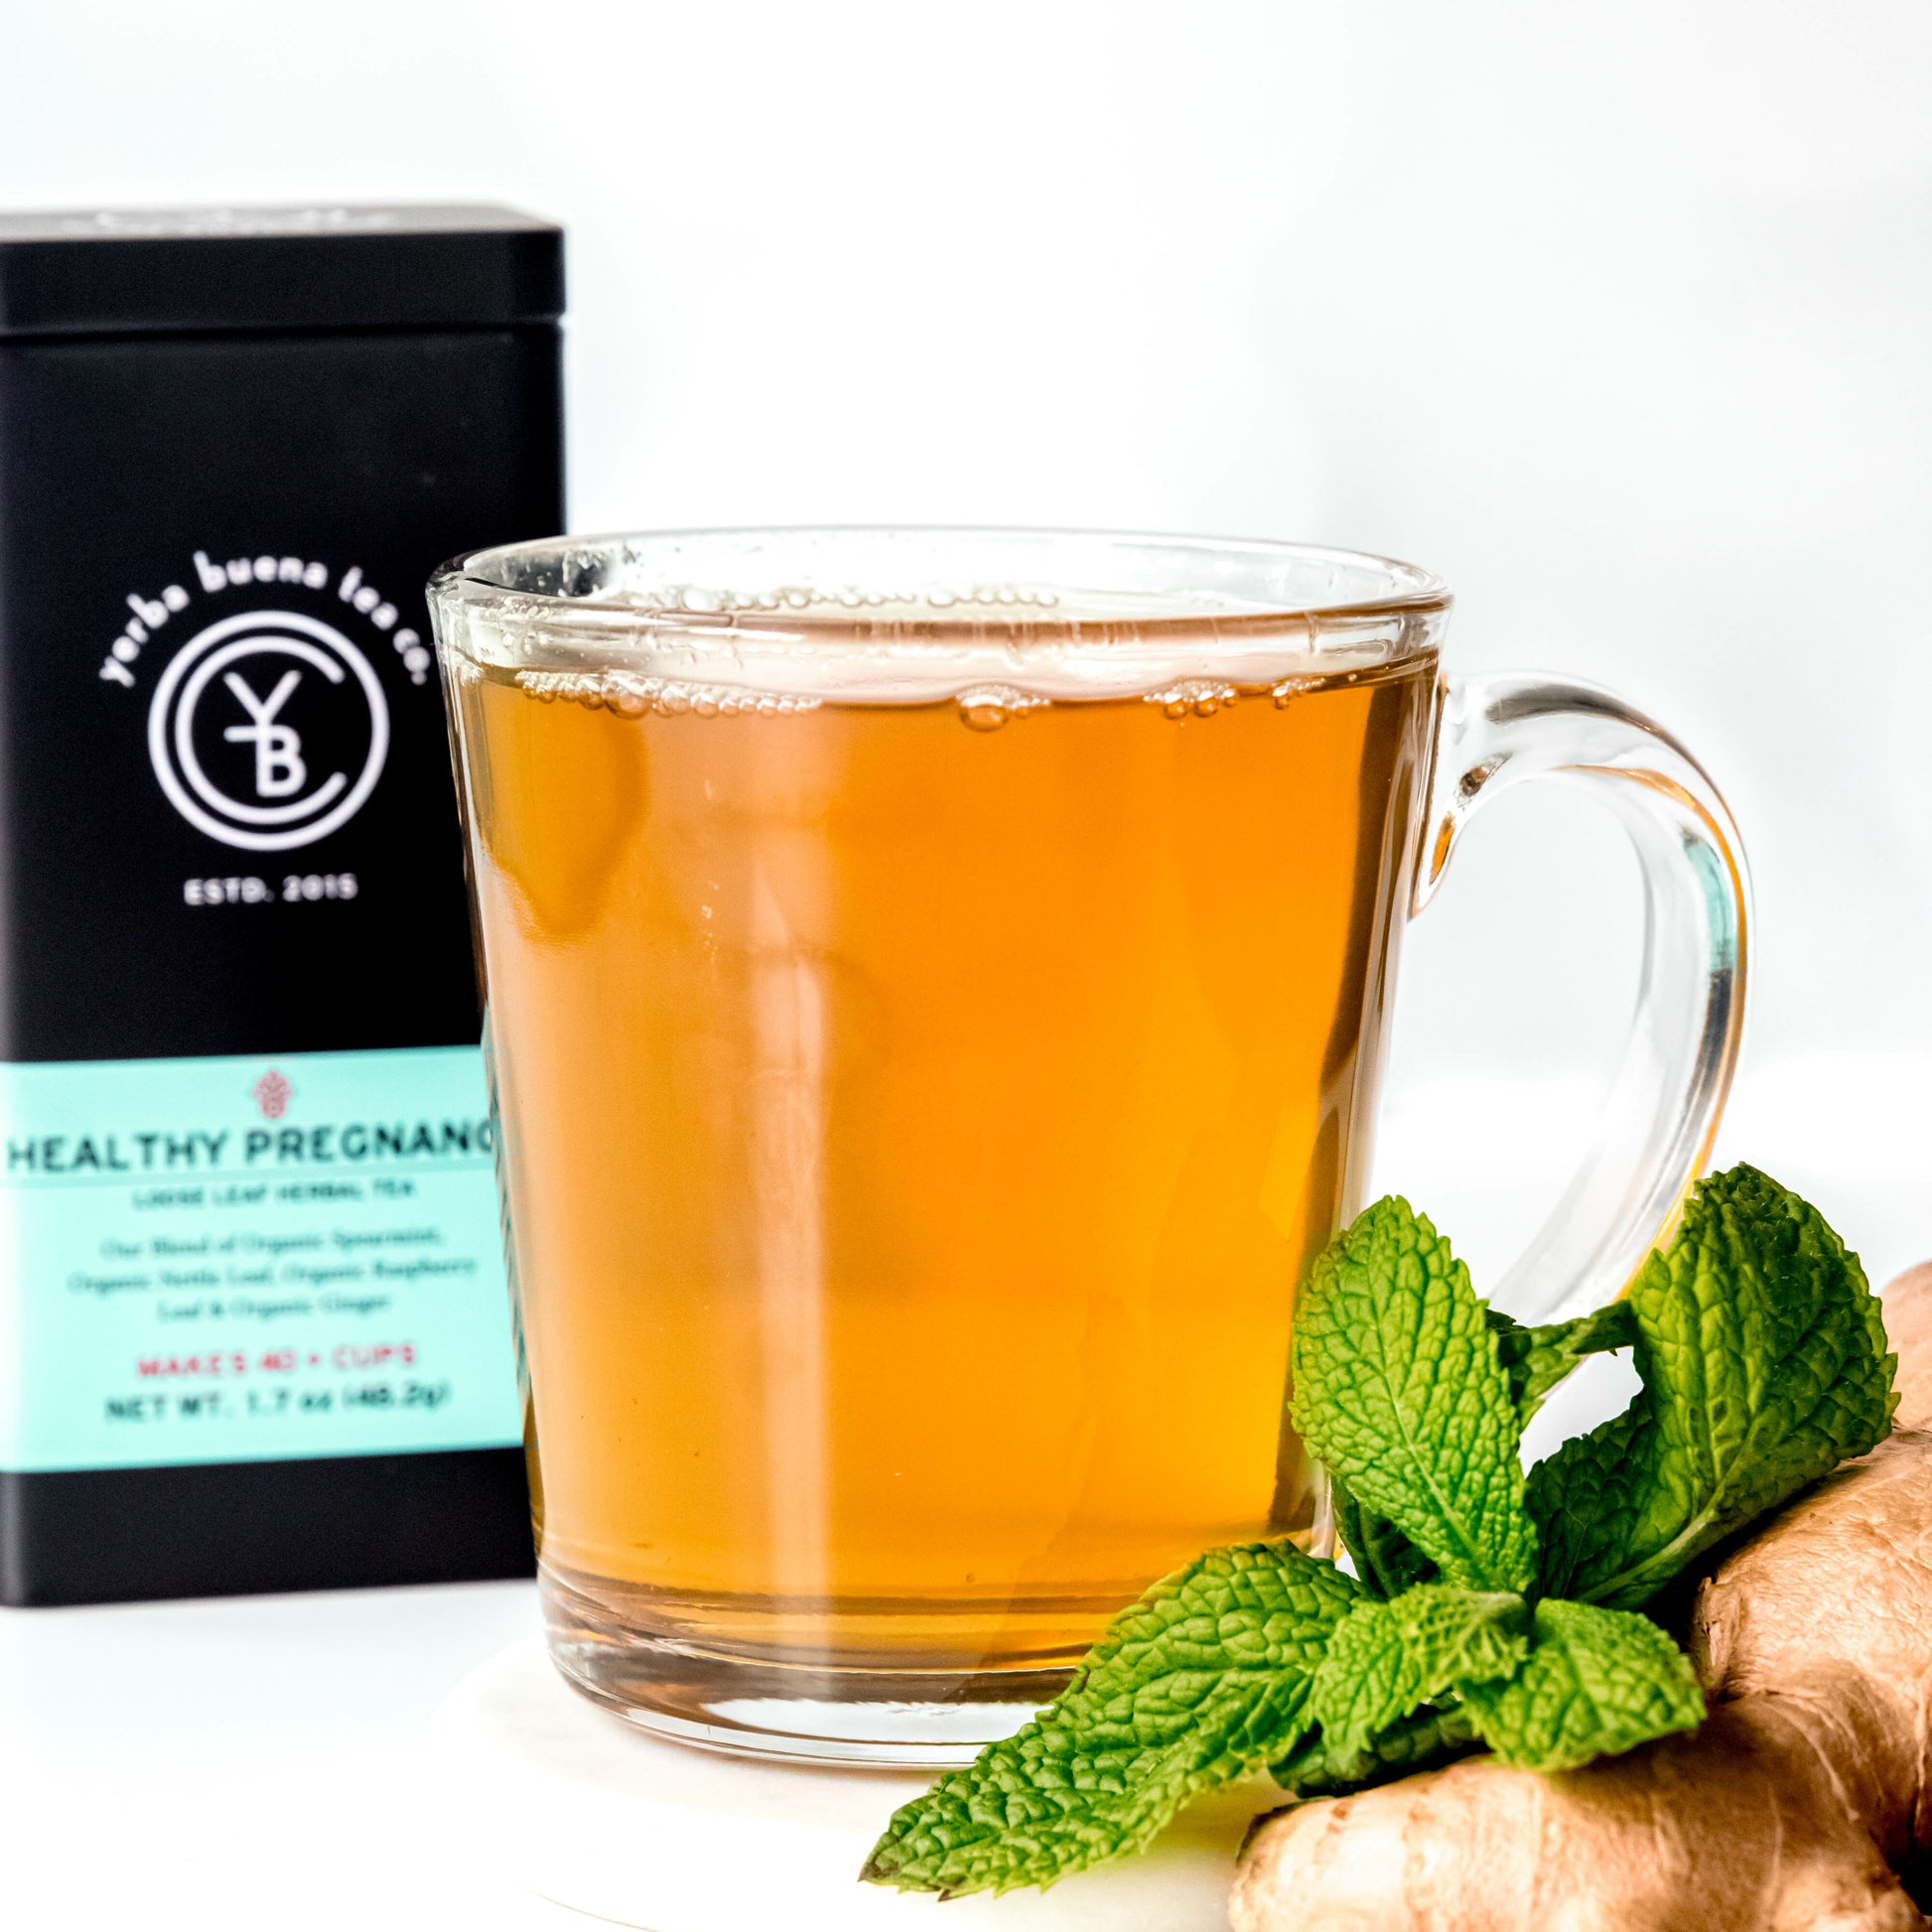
[1599, 1682]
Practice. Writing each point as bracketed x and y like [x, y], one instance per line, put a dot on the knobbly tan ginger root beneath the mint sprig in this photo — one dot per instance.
[1788, 1811]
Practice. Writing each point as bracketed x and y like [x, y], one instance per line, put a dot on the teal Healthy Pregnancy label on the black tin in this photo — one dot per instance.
[239, 1261]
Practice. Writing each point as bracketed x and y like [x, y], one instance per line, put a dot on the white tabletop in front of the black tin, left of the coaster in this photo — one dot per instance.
[252, 1763]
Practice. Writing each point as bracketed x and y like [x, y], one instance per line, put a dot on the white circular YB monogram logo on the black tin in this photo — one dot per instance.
[268, 731]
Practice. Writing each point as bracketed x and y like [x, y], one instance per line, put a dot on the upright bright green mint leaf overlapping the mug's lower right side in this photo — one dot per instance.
[1400, 1394]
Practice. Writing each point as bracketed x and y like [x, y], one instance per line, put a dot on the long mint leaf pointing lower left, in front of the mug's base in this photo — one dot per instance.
[1203, 1682]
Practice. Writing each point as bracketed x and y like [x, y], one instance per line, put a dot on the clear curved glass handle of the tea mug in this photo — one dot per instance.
[1662, 1112]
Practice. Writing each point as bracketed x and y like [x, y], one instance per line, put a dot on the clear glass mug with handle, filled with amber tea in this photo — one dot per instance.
[938, 990]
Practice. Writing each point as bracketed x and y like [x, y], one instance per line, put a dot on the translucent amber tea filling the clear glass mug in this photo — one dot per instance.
[919, 1118]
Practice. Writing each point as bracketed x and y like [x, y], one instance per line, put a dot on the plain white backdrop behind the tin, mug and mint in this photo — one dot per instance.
[1618, 316]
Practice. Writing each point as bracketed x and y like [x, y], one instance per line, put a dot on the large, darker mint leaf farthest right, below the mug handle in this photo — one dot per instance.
[1765, 1365]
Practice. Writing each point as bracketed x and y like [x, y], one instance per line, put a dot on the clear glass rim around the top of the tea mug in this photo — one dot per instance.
[1406, 588]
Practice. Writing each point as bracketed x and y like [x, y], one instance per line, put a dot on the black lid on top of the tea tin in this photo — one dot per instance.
[159, 271]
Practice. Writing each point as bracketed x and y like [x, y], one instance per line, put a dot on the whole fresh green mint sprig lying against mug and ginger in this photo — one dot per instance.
[1485, 1610]
